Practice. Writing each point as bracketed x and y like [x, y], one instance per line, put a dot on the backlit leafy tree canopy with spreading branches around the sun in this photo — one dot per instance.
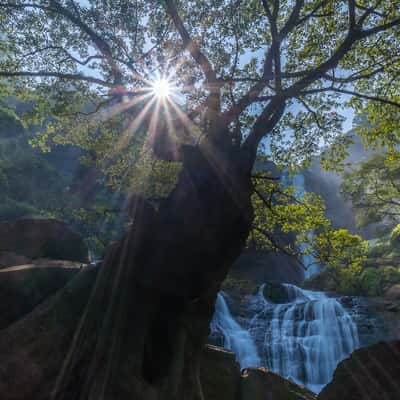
[242, 71]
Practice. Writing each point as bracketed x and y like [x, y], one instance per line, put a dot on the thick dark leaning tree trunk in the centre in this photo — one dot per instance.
[146, 321]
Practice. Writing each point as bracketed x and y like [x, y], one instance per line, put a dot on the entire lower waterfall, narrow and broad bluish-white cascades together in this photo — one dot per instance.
[302, 339]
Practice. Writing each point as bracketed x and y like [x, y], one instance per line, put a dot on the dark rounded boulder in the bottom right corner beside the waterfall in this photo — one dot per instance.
[370, 373]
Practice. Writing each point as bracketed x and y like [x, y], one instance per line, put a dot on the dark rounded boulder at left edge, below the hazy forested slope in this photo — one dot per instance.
[36, 238]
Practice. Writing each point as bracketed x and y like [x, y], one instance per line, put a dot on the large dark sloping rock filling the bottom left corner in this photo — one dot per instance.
[33, 349]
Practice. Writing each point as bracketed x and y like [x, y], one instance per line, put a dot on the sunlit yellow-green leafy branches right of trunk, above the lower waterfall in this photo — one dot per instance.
[279, 212]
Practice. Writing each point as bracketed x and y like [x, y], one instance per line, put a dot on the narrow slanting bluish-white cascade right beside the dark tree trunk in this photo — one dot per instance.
[236, 338]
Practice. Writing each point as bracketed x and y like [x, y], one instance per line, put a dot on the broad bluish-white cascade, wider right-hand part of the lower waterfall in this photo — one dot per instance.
[304, 339]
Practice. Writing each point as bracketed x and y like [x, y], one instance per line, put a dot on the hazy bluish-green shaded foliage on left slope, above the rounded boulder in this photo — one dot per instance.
[33, 186]
